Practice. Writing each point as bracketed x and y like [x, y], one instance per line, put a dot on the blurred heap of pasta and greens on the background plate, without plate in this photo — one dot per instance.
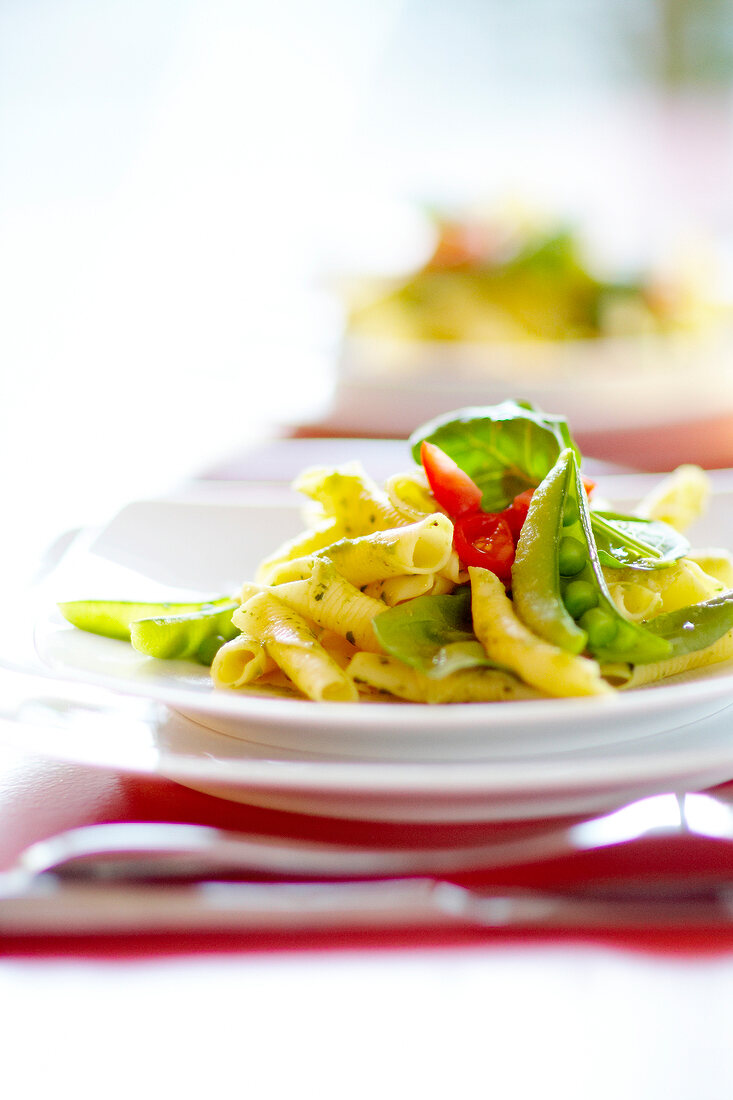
[507, 279]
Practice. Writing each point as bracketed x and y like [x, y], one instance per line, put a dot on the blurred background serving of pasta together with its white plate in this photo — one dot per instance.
[512, 305]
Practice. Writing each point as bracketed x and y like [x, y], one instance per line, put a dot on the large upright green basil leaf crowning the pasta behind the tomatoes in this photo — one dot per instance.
[505, 448]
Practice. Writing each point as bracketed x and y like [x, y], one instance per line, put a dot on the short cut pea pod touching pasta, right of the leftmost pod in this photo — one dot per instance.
[198, 634]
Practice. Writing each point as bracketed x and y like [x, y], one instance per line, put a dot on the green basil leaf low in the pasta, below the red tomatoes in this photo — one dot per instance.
[433, 634]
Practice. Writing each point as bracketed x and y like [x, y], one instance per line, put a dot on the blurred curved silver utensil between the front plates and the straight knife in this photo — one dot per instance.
[137, 851]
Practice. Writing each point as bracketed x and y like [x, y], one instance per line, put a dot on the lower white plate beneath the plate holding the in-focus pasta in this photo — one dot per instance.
[94, 728]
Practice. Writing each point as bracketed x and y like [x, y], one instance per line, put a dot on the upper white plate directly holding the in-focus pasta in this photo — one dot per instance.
[169, 549]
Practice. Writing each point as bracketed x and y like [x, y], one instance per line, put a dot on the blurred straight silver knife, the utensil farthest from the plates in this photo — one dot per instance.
[47, 906]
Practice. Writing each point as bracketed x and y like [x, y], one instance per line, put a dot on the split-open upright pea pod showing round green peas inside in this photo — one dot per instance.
[557, 581]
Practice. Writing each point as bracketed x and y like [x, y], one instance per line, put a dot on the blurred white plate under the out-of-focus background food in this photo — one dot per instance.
[388, 387]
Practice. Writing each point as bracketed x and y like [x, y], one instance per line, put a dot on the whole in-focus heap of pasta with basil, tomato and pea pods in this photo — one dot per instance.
[484, 575]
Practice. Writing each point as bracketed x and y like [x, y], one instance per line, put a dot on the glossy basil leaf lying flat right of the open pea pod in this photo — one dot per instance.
[629, 542]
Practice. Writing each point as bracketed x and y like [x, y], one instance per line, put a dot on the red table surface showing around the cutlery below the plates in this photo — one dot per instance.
[40, 798]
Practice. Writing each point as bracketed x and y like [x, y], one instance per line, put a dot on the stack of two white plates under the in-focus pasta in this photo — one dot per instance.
[382, 762]
